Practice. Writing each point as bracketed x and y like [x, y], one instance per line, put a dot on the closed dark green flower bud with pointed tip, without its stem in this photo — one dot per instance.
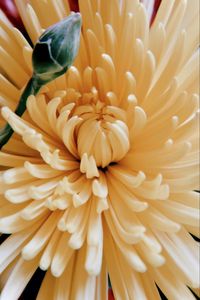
[56, 49]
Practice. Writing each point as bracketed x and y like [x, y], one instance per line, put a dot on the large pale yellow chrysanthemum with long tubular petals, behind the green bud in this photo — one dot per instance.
[99, 176]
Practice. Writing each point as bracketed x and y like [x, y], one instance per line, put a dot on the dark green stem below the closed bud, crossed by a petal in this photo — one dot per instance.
[32, 88]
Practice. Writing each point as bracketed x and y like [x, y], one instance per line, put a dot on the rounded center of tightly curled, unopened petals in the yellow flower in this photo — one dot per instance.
[100, 133]
